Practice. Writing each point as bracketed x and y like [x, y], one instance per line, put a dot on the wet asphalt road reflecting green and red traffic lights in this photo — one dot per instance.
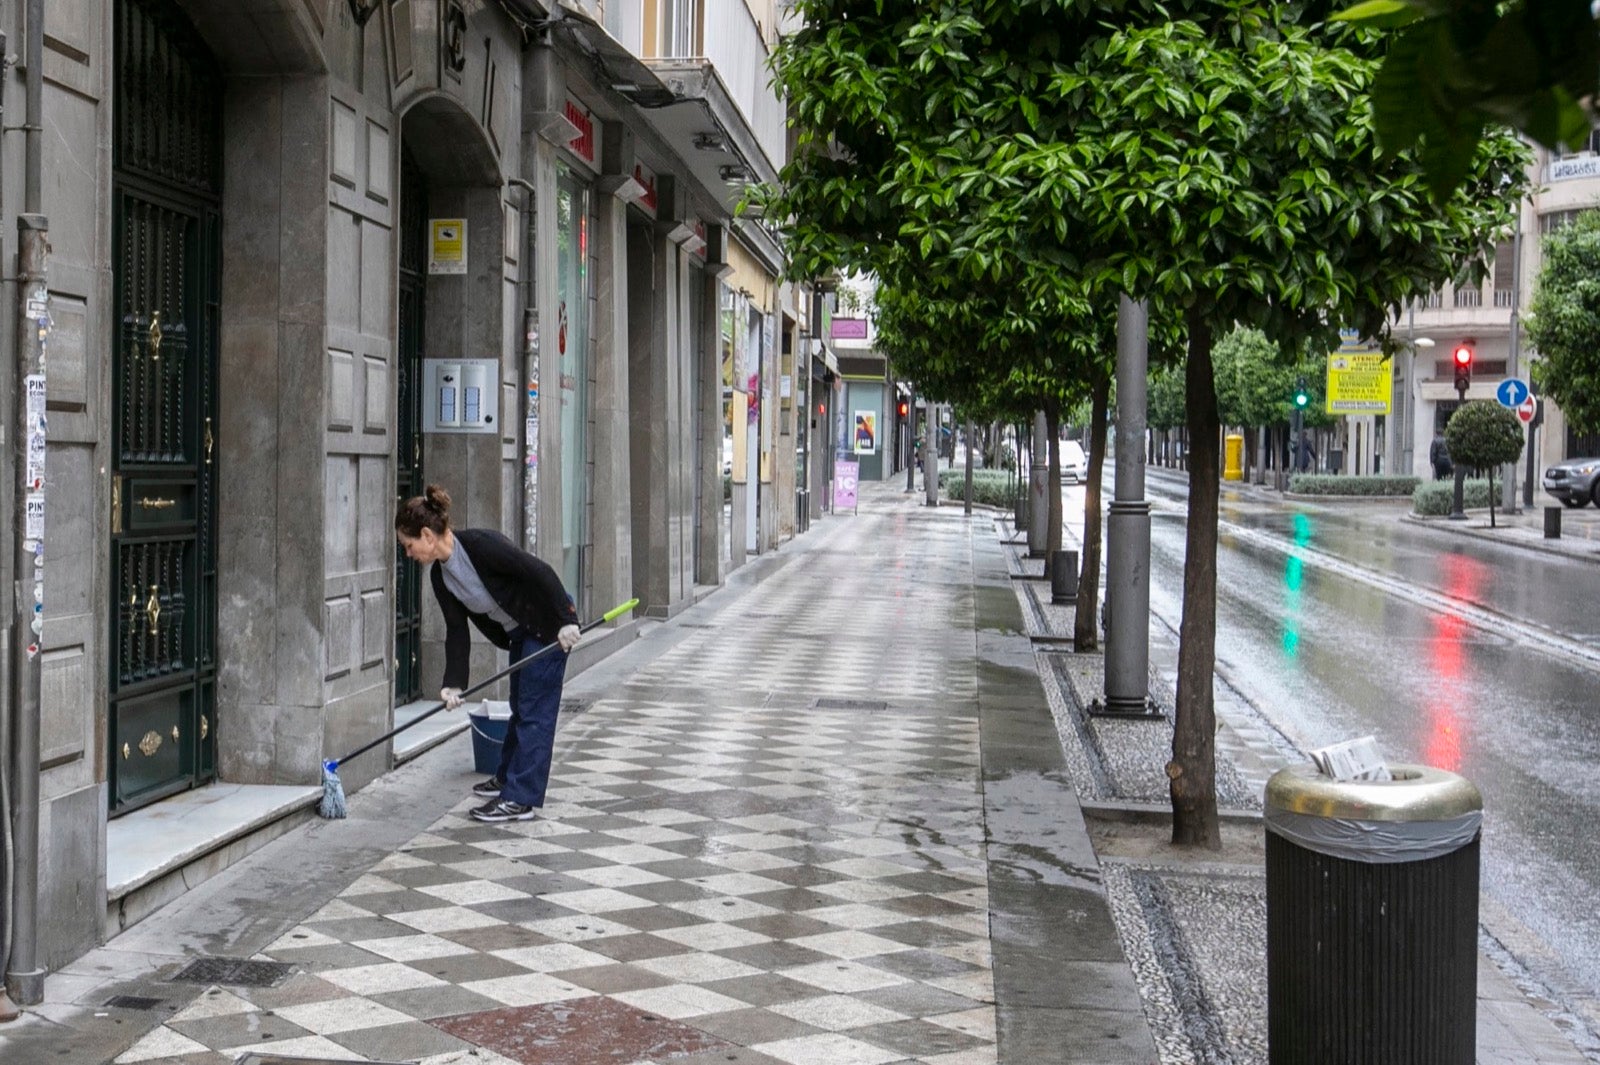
[1458, 653]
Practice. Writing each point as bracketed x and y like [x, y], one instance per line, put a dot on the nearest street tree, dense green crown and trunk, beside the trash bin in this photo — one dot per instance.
[1206, 156]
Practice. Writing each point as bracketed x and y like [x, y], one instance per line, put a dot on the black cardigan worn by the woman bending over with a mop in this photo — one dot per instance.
[524, 586]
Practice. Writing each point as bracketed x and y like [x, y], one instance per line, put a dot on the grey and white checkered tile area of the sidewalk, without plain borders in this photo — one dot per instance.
[726, 872]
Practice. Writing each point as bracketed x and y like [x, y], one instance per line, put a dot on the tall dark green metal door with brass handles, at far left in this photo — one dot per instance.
[166, 196]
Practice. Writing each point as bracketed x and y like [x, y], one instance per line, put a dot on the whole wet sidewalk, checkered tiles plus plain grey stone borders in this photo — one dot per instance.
[820, 820]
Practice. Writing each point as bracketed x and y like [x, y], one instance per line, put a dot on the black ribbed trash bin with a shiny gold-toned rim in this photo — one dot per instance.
[1372, 919]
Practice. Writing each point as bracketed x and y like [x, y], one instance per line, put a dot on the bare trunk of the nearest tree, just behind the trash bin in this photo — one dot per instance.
[1193, 770]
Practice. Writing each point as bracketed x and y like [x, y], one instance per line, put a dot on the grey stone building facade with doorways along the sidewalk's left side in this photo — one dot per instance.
[313, 255]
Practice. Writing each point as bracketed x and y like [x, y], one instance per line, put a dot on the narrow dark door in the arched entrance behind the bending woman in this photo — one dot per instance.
[409, 431]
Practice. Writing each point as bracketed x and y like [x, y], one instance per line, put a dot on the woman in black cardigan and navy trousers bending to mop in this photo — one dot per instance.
[519, 604]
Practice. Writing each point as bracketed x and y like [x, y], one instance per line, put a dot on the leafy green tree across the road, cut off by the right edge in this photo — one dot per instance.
[1564, 322]
